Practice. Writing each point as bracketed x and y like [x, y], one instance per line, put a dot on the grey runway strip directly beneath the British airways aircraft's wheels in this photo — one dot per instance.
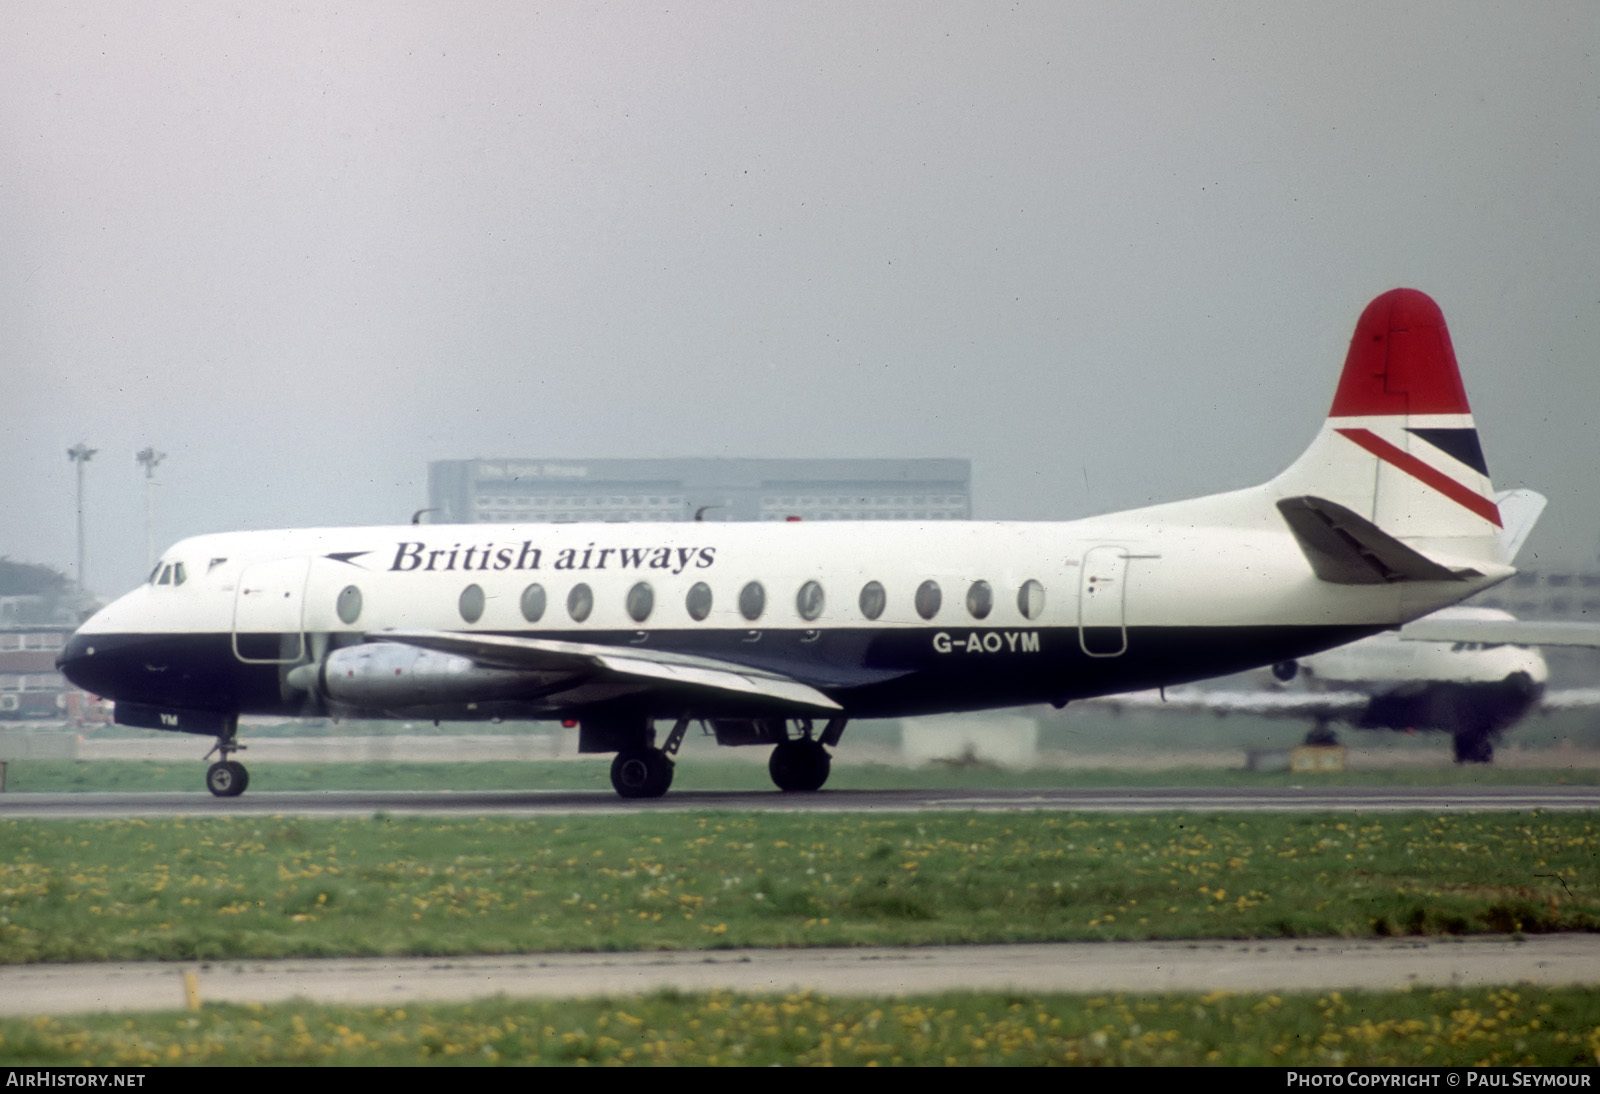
[346, 804]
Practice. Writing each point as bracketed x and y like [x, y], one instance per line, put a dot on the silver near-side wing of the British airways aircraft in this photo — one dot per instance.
[548, 657]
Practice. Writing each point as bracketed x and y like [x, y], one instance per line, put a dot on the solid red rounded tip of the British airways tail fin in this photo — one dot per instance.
[1401, 362]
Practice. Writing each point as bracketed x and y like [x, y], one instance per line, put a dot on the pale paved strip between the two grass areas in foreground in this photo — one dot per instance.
[1276, 965]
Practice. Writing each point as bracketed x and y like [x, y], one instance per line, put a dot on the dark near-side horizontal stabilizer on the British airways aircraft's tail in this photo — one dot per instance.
[1346, 549]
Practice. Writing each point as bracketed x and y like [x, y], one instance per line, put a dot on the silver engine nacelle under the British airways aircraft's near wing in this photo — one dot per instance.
[386, 676]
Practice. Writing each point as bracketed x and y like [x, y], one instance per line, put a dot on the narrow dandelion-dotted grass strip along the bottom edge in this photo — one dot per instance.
[1407, 1029]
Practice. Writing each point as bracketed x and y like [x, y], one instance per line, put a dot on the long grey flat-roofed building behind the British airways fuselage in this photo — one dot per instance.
[478, 492]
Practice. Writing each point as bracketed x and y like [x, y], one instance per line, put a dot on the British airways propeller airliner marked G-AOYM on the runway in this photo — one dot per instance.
[762, 631]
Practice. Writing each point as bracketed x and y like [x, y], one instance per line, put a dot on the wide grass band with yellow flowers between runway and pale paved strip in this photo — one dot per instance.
[258, 888]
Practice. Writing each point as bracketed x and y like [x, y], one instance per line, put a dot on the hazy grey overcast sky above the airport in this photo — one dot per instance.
[1110, 252]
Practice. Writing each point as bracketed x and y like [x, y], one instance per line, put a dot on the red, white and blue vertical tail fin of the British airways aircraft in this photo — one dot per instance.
[1401, 449]
